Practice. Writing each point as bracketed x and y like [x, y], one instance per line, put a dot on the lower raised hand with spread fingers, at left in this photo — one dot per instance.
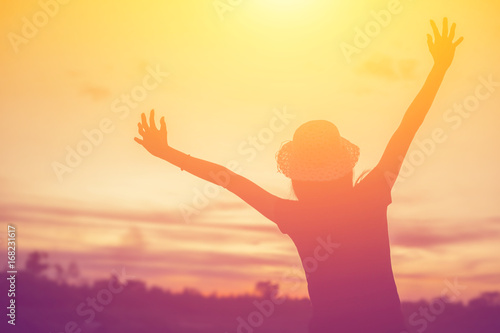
[153, 139]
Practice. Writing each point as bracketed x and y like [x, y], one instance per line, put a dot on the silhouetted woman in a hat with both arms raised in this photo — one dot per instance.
[339, 228]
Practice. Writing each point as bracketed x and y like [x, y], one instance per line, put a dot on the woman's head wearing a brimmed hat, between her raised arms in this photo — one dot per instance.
[318, 160]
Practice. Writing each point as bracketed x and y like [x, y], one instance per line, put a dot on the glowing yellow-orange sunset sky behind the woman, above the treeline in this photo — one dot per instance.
[234, 82]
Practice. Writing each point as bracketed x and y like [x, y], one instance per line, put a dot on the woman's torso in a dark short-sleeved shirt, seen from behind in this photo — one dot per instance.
[344, 248]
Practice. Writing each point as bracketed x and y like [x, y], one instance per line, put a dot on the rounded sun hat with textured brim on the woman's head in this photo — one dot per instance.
[317, 153]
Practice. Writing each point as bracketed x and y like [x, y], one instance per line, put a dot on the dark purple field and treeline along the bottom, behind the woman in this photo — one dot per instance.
[48, 305]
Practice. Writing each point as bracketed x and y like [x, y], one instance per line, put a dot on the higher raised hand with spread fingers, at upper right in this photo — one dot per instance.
[442, 47]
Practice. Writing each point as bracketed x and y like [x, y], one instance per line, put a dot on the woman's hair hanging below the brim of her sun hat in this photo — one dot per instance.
[319, 190]
